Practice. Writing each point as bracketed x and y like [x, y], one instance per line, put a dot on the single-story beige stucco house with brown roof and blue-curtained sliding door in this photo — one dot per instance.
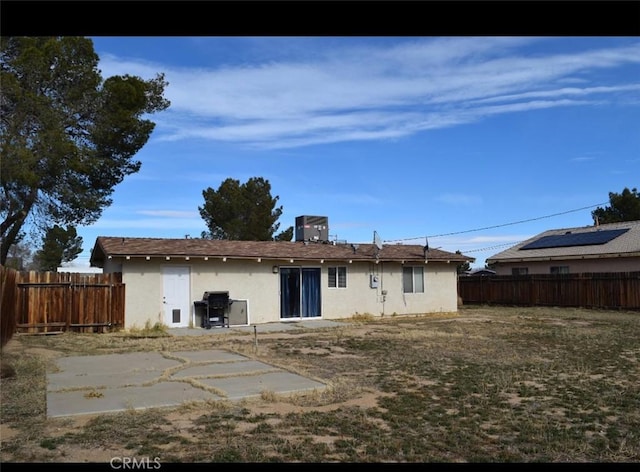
[277, 280]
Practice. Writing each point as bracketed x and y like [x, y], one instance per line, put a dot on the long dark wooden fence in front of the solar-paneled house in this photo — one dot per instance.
[589, 290]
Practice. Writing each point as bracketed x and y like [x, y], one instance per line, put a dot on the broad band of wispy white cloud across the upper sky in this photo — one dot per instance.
[386, 91]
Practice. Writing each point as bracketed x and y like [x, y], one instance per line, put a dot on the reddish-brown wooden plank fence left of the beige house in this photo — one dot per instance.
[48, 302]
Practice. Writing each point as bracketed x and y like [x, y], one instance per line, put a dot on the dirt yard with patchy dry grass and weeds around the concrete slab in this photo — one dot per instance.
[485, 385]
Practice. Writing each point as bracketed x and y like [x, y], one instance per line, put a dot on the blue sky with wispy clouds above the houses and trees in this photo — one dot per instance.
[471, 143]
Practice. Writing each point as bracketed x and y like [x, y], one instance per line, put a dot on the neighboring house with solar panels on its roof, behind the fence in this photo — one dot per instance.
[613, 247]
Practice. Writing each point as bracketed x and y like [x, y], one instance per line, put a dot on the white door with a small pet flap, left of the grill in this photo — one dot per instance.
[175, 299]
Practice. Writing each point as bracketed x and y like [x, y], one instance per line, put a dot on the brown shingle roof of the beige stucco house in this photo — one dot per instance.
[277, 250]
